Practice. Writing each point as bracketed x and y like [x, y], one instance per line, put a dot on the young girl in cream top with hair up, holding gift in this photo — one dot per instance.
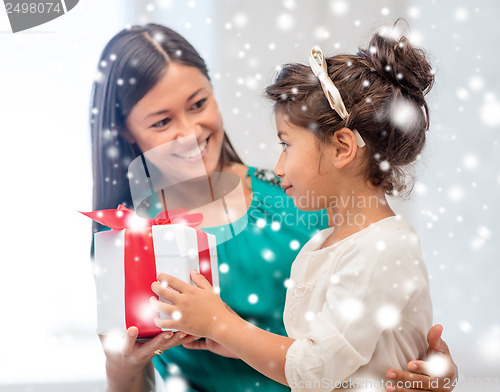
[358, 297]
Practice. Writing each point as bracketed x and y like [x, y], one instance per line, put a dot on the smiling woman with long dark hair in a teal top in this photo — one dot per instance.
[152, 88]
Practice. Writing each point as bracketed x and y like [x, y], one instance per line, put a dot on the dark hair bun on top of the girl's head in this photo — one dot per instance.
[403, 64]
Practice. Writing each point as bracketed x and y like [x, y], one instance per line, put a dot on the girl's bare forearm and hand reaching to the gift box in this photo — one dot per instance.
[199, 311]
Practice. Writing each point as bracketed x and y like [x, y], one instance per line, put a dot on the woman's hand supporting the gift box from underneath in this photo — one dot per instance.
[126, 359]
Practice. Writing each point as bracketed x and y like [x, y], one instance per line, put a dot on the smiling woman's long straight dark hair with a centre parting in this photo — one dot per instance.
[131, 64]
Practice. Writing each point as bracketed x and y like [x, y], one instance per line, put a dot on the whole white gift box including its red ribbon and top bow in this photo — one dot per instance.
[129, 257]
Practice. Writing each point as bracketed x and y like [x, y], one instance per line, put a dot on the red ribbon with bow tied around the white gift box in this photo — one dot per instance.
[139, 263]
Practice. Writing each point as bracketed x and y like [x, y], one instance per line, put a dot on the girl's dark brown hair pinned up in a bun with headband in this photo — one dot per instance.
[383, 89]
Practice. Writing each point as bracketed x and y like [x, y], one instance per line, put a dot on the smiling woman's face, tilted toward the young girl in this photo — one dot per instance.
[181, 104]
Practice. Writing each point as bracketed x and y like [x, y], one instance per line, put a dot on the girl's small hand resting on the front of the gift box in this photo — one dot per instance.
[196, 310]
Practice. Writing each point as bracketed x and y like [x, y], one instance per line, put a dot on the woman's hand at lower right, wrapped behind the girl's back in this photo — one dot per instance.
[438, 373]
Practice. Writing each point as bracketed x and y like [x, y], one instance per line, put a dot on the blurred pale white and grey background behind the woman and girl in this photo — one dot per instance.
[46, 285]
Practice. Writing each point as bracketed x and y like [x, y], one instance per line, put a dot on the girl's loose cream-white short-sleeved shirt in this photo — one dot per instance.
[357, 308]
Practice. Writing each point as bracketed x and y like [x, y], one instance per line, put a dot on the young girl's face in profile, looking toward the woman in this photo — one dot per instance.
[305, 178]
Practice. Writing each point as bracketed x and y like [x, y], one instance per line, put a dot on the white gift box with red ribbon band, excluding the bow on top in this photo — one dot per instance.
[177, 250]
